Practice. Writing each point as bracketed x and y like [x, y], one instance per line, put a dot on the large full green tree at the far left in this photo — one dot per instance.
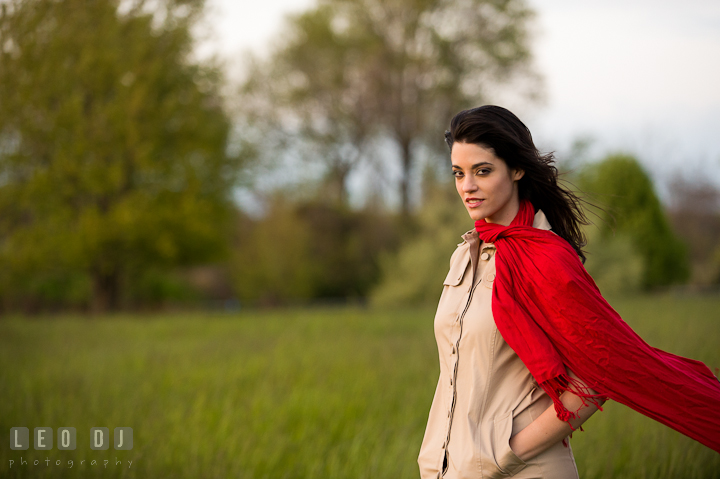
[113, 146]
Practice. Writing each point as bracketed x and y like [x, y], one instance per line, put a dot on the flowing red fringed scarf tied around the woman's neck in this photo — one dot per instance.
[551, 313]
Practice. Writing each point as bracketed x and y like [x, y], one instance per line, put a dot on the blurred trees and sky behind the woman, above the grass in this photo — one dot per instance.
[190, 155]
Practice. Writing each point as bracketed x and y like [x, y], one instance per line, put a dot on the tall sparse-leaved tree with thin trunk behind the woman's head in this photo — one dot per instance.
[350, 71]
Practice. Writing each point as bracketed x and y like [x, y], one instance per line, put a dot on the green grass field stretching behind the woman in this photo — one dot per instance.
[316, 393]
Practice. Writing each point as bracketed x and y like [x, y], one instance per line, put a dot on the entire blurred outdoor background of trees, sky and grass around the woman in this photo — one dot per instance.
[214, 197]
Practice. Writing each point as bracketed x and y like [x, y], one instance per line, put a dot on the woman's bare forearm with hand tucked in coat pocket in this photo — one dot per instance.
[547, 429]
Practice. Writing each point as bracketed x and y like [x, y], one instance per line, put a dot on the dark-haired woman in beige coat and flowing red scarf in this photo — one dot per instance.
[528, 347]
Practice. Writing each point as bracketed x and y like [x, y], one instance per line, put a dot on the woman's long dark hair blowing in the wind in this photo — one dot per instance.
[497, 128]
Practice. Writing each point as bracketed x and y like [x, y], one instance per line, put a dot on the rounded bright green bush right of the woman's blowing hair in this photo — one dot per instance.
[632, 211]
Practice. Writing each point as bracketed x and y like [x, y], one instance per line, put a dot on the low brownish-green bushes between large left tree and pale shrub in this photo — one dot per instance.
[309, 250]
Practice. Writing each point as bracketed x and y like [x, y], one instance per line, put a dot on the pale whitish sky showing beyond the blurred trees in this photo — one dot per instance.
[637, 75]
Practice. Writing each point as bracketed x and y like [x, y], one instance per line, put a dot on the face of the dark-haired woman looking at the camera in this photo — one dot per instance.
[488, 188]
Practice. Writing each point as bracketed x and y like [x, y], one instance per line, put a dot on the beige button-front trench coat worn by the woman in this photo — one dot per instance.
[485, 394]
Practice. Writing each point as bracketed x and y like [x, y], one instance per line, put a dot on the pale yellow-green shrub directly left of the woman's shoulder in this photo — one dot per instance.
[414, 275]
